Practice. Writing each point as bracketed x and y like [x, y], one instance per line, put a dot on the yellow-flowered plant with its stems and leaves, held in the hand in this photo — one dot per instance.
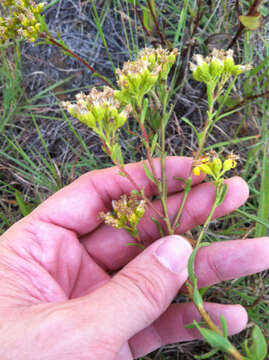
[143, 94]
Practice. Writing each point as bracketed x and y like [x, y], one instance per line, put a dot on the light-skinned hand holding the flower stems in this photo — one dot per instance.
[70, 288]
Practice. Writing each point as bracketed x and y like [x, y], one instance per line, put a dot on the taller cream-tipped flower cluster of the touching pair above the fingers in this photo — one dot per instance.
[138, 77]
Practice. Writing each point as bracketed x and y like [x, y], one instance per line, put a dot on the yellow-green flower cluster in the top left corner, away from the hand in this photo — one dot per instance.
[21, 18]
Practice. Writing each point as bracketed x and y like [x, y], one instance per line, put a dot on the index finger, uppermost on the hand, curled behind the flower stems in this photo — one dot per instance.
[76, 207]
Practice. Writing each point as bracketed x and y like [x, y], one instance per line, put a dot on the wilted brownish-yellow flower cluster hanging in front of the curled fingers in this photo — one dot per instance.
[126, 214]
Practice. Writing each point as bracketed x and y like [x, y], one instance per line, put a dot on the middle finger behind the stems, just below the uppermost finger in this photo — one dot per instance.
[108, 246]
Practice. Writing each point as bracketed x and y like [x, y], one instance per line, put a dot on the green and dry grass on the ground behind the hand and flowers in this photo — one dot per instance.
[41, 149]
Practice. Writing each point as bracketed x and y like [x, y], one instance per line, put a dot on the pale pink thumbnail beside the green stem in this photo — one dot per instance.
[174, 253]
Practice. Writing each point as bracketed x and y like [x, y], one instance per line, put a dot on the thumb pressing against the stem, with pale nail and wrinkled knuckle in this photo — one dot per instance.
[138, 294]
